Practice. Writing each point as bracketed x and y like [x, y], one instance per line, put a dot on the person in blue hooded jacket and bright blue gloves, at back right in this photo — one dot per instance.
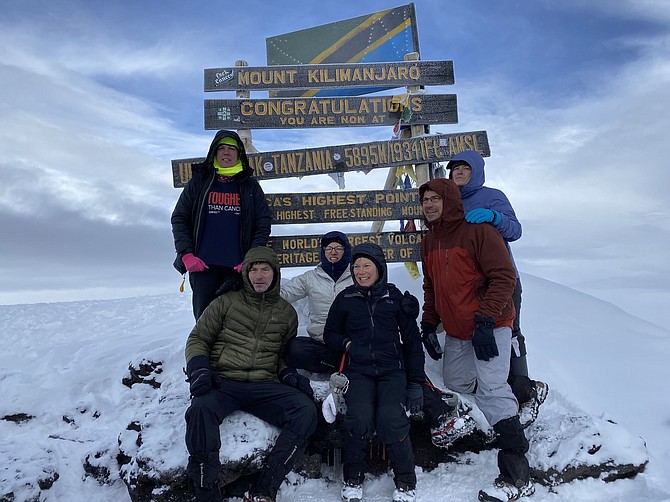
[486, 205]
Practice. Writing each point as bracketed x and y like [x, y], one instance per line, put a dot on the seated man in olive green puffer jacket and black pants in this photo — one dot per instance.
[235, 360]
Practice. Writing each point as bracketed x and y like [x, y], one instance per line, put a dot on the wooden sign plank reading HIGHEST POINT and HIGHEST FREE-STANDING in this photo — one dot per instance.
[341, 206]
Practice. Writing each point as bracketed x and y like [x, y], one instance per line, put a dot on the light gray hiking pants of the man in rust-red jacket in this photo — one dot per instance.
[464, 373]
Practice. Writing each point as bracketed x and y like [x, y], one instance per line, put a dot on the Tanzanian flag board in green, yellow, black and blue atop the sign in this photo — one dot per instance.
[385, 35]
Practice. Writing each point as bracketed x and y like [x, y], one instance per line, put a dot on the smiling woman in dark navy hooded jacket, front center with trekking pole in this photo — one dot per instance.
[384, 365]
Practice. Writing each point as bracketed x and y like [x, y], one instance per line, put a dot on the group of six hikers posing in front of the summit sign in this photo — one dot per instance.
[244, 353]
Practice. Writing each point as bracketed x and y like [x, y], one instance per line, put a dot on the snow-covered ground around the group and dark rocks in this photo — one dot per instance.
[62, 364]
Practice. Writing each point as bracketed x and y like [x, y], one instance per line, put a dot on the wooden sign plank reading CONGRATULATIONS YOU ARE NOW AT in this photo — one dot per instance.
[343, 111]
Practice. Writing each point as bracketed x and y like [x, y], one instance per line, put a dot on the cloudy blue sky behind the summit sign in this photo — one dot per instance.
[98, 98]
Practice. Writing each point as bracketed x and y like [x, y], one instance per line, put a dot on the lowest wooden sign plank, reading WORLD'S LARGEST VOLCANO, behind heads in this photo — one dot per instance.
[303, 250]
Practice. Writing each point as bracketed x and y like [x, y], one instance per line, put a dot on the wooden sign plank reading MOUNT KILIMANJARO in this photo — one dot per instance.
[334, 75]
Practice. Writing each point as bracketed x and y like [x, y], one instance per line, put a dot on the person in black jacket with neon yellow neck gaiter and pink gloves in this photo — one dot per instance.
[221, 214]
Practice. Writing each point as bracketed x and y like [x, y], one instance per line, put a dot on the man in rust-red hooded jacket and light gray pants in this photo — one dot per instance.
[468, 283]
